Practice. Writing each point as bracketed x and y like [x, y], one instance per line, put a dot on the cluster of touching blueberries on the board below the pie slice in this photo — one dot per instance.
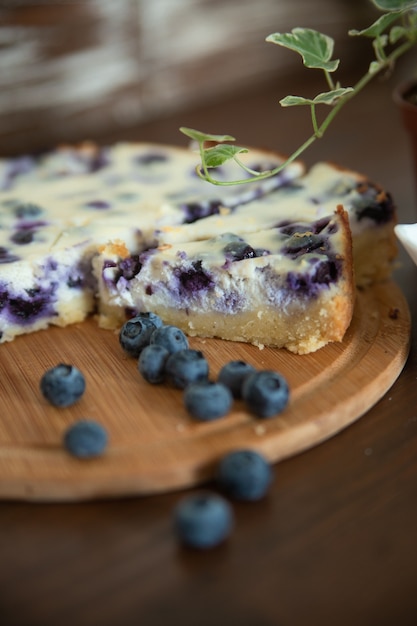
[164, 355]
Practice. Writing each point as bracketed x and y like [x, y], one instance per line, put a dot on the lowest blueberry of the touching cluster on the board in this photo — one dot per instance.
[207, 400]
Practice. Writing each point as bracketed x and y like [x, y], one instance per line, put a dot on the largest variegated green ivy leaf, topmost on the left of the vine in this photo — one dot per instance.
[315, 48]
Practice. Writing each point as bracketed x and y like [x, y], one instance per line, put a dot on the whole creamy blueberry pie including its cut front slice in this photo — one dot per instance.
[116, 229]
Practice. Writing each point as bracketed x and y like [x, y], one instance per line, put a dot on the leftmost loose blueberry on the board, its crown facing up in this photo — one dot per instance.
[62, 385]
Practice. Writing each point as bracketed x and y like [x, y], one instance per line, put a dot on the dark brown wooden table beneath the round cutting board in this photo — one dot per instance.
[334, 543]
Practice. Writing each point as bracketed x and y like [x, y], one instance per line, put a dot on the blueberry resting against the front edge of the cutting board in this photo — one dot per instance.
[244, 475]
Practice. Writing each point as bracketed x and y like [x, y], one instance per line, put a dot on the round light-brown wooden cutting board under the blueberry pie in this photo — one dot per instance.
[154, 445]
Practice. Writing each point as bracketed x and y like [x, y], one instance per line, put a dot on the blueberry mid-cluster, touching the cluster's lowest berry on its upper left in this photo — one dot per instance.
[185, 367]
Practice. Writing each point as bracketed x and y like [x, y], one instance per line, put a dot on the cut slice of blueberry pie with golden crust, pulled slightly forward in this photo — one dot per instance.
[289, 286]
